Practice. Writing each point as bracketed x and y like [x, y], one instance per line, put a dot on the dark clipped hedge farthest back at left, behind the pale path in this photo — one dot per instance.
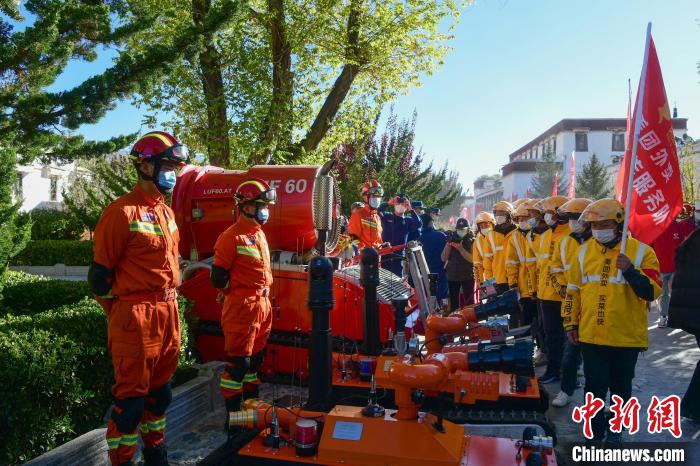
[52, 252]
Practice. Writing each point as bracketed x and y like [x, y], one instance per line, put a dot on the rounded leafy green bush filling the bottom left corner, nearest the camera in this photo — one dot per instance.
[40, 393]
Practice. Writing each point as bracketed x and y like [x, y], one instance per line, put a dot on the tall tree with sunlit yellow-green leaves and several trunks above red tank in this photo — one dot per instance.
[291, 78]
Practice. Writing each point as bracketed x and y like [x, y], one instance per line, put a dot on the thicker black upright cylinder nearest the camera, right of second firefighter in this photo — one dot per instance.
[321, 339]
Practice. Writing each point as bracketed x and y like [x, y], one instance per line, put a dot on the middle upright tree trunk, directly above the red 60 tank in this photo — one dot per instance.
[275, 132]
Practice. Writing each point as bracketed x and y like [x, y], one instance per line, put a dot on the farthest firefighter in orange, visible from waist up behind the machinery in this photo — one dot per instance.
[365, 224]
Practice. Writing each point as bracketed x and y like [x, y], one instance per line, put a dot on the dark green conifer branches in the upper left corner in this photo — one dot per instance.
[38, 123]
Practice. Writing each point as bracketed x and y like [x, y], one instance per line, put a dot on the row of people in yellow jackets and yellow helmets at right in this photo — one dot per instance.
[579, 292]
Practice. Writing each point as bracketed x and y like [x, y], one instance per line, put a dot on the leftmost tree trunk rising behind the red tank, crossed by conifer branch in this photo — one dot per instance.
[213, 85]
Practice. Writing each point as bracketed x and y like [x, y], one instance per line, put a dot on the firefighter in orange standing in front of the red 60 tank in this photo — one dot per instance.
[242, 272]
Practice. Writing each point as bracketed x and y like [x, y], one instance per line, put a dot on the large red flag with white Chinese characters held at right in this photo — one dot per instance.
[657, 194]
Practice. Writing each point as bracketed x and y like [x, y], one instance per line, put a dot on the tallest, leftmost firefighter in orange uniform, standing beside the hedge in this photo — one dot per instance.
[133, 275]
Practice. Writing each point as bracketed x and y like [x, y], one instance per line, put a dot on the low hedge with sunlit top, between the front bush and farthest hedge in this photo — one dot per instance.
[29, 294]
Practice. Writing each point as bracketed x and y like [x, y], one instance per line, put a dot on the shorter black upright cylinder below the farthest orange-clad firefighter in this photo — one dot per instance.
[369, 279]
